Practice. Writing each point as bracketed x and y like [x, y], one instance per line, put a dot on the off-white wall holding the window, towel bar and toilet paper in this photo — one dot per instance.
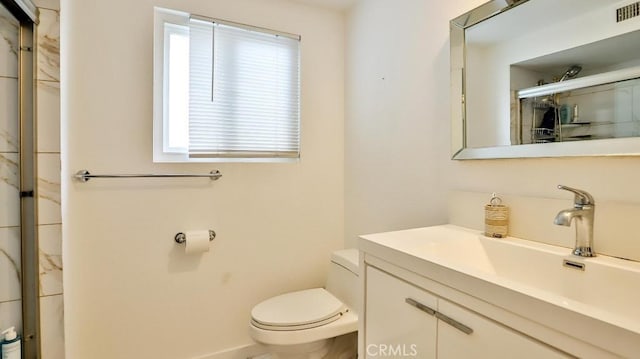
[130, 291]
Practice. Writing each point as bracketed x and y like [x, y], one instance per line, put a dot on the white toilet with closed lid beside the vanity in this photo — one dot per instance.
[303, 324]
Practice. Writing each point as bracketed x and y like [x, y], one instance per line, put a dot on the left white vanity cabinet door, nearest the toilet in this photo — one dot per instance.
[399, 318]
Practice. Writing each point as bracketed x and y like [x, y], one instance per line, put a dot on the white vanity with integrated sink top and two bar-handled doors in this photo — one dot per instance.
[449, 292]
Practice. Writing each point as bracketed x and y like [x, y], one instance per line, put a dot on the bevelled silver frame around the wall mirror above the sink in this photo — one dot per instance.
[459, 151]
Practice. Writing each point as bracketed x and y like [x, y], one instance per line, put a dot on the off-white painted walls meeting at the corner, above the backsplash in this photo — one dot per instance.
[130, 292]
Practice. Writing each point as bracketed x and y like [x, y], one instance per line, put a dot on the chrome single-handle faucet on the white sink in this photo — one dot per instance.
[582, 211]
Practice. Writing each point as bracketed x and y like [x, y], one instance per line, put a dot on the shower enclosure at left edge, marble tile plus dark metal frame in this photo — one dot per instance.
[18, 237]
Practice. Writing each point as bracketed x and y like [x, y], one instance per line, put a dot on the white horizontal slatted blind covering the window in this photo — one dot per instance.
[244, 92]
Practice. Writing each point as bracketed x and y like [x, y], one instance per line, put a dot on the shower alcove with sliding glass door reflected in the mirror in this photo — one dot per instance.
[578, 94]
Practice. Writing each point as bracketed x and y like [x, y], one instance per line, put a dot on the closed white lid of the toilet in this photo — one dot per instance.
[298, 310]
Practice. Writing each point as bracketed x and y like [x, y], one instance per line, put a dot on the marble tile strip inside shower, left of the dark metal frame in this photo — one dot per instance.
[10, 276]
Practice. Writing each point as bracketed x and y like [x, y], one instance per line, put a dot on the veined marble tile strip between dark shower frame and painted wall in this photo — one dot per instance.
[48, 148]
